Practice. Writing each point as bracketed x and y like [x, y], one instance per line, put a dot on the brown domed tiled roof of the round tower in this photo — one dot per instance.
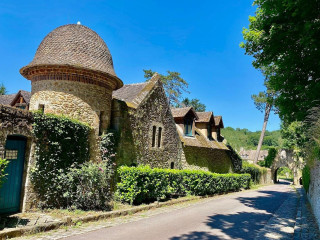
[73, 45]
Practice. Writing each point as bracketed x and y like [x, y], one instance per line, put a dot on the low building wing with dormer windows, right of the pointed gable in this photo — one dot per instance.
[201, 150]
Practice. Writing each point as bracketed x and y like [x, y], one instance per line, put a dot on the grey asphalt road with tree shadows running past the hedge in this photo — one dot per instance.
[236, 216]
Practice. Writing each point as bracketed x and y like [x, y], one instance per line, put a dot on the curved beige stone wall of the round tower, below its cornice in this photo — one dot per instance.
[85, 102]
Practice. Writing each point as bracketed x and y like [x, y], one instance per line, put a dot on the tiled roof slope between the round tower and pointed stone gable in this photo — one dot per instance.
[134, 94]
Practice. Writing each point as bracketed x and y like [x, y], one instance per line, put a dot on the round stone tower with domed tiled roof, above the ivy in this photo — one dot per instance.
[72, 74]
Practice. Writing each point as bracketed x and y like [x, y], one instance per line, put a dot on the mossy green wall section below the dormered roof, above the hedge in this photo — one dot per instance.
[207, 159]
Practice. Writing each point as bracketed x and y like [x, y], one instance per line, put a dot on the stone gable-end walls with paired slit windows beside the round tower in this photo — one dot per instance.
[135, 127]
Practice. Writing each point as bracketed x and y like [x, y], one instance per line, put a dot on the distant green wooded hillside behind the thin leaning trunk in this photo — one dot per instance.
[249, 140]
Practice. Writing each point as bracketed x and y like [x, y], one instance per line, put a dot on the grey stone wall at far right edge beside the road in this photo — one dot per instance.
[314, 190]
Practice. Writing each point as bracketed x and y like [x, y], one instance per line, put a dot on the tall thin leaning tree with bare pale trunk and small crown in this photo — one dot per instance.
[264, 102]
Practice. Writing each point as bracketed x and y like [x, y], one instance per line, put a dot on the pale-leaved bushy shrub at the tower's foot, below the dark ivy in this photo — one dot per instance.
[86, 186]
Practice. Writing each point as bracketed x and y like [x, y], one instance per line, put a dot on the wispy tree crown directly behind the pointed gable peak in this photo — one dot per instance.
[173, 84]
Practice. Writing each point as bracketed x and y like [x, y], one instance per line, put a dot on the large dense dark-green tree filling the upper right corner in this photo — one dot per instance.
[283, 38]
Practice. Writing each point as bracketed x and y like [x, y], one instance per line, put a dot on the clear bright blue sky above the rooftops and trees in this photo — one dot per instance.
[199, 39]
